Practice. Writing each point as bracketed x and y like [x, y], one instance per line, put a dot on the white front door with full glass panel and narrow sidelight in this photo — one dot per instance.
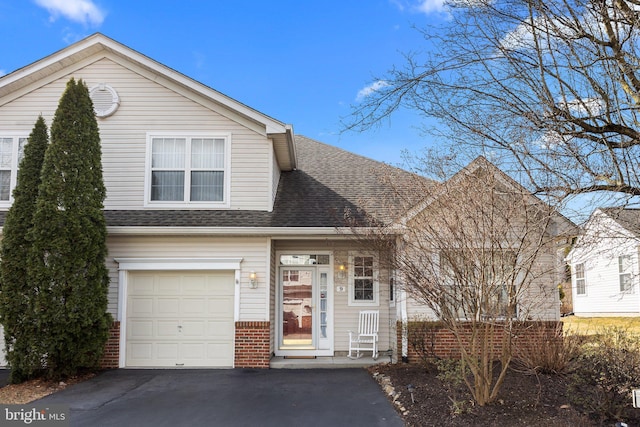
[304, 316]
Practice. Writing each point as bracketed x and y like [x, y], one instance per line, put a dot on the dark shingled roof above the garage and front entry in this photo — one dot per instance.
[328, 183]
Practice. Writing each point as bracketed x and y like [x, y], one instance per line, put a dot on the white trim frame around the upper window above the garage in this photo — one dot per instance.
[225, 203]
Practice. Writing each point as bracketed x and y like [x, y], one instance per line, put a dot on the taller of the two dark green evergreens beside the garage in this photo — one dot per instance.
[67, 257]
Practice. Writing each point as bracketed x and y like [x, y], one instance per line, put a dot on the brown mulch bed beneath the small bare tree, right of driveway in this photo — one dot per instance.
[524, 400]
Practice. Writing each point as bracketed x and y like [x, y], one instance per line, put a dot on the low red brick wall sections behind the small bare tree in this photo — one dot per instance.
[431, 339]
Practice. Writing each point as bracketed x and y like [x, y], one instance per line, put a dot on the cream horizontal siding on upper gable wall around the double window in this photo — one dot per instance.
[150, 104]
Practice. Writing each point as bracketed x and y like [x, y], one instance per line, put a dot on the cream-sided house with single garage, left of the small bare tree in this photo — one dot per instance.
[258, 260]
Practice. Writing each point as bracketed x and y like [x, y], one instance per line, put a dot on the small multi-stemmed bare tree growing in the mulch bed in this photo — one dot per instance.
[479, 253]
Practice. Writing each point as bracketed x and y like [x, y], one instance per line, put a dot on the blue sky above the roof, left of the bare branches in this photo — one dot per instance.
[302, 62]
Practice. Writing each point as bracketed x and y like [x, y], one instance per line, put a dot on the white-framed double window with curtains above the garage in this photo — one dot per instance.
[188, 170]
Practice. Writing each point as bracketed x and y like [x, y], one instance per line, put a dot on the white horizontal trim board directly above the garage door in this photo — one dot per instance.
[145, 264]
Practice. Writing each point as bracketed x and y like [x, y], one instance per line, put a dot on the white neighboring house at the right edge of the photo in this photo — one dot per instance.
[604, 264]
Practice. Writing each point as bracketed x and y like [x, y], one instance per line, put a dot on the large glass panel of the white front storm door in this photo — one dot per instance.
[297, 307]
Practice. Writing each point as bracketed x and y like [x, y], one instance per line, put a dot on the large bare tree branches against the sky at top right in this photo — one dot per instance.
[549, 89]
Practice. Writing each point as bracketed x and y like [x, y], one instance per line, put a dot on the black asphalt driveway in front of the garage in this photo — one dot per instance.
[238, 397]
